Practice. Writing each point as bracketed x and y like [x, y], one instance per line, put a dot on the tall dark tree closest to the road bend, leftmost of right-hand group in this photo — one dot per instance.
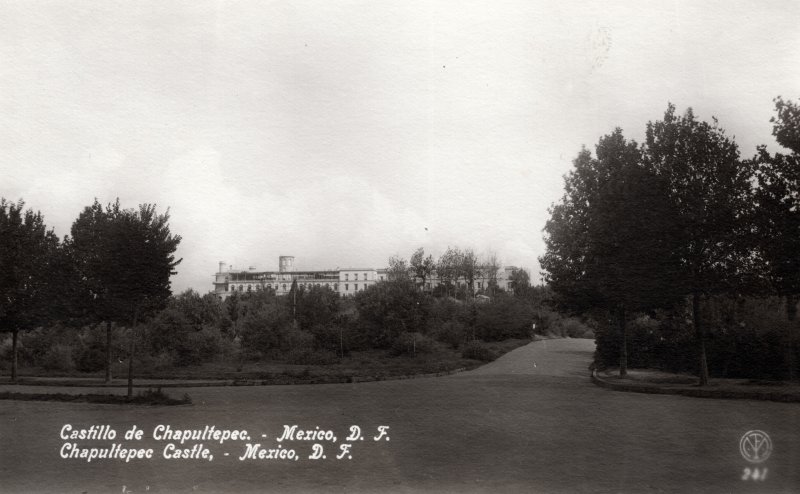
[608, 241]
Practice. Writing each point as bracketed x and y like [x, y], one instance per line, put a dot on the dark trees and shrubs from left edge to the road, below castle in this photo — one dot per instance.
[100, 299]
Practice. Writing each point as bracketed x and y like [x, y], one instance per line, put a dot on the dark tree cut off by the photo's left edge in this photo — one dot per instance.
[28, 254]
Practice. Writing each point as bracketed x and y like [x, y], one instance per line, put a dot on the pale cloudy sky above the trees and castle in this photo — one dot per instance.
[344, 132]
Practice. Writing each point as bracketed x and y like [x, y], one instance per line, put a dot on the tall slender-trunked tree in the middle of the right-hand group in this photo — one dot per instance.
[709, 189]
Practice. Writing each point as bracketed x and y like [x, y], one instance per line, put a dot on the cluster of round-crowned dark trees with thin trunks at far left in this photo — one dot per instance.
[112, 269]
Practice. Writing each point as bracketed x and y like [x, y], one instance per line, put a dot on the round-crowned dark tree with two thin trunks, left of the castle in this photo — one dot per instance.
[125, 258]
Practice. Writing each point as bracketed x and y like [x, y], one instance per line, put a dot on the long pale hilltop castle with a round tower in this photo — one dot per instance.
[345, 282]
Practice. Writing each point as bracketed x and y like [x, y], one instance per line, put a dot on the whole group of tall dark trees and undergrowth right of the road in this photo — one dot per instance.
[680, 249]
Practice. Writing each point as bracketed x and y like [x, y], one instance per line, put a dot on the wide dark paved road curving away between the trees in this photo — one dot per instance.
[529, 422]
